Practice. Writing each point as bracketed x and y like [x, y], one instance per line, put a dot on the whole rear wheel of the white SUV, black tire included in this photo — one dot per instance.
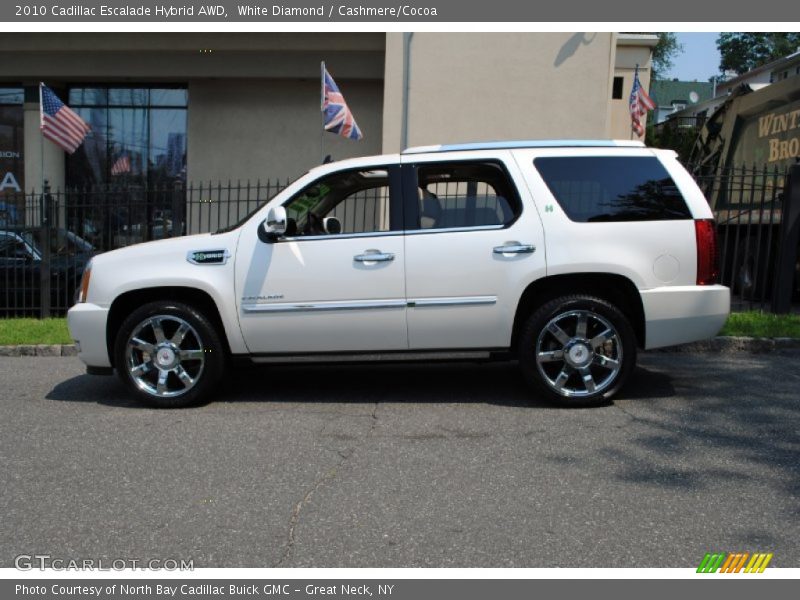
[579, 356]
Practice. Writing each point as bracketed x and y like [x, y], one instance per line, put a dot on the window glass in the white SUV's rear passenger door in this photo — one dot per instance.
[465, 195]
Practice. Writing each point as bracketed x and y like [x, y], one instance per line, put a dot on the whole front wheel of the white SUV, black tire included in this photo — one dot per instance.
[200, 355]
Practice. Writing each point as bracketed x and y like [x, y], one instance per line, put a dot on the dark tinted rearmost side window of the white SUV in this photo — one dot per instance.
[594, 189]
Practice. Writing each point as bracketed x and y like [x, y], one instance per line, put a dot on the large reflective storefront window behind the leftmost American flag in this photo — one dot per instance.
[138, 136]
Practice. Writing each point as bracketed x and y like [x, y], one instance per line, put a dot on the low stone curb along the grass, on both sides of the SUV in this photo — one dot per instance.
[720, 345]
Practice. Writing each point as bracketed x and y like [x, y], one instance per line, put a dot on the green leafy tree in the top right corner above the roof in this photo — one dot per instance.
[742, 52]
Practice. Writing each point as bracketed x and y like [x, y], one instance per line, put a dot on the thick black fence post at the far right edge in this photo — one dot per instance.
[787, 243]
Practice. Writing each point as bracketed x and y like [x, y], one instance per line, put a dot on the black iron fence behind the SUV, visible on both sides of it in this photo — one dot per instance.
[45, 240]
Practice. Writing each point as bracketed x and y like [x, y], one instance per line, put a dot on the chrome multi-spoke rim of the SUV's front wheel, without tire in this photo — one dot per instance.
[165, 356]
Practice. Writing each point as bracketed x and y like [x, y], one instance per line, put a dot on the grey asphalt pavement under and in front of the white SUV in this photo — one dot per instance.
[406, 466]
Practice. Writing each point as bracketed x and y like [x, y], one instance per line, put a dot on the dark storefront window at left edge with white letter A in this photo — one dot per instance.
[12, 166]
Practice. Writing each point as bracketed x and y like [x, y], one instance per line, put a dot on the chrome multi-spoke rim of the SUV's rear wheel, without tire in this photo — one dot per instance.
[578, 354]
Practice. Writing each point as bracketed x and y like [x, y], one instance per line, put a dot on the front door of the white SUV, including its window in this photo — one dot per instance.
[335, 281]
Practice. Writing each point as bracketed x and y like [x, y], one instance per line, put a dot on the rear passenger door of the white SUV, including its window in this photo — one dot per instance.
[473, 243]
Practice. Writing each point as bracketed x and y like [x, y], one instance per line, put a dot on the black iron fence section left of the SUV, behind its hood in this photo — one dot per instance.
[46, 239]
